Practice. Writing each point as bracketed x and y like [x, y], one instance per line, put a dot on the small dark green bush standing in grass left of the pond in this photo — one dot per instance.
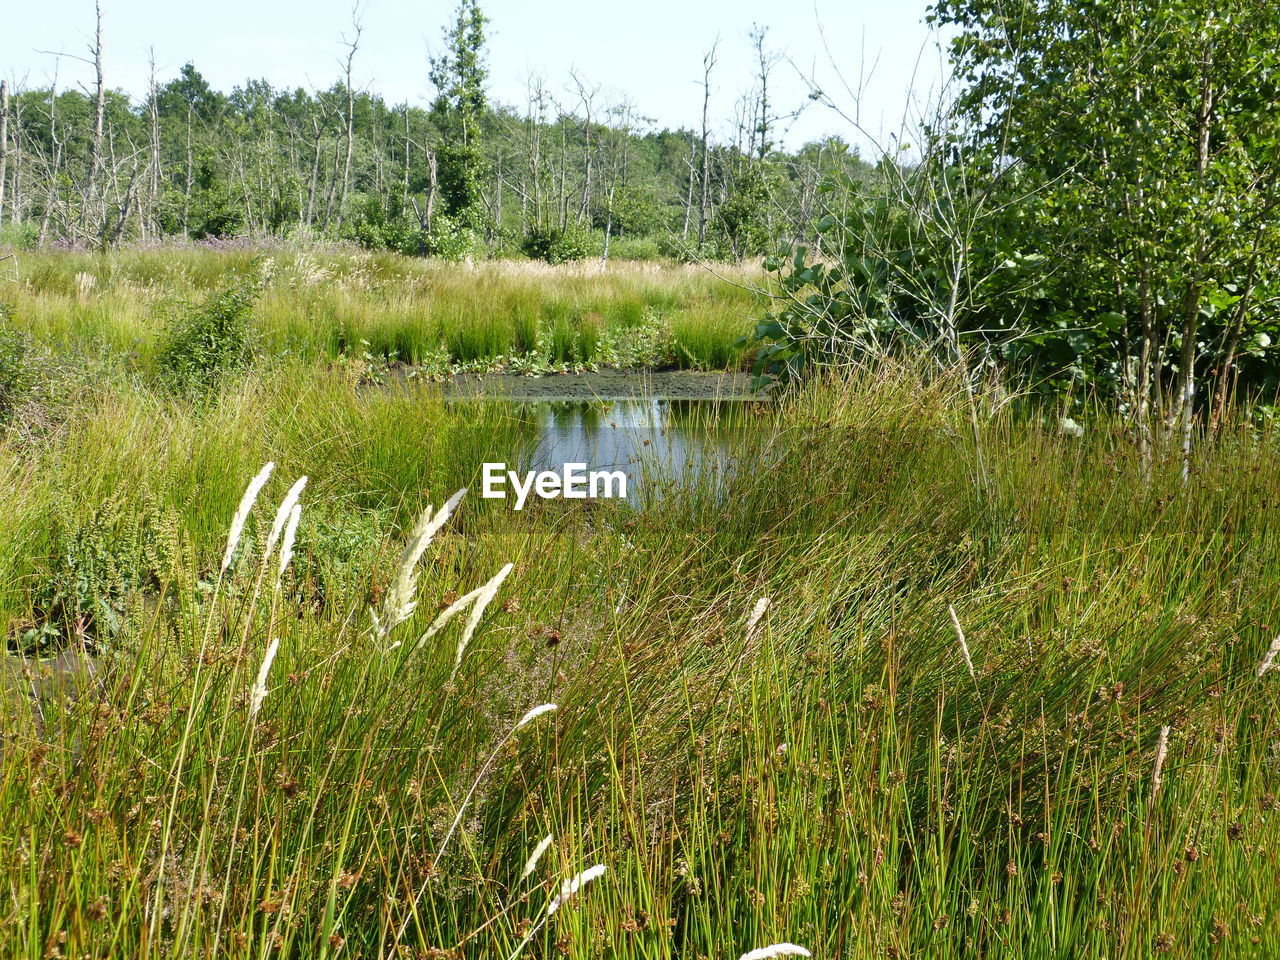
[211, 341]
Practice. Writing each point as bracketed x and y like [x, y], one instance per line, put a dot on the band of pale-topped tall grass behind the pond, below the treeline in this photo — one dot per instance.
[324, 303]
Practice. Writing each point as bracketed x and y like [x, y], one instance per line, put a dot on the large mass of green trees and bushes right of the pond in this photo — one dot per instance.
[1096, 216]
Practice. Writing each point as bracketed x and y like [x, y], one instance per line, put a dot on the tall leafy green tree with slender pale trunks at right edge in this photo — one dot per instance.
[1153, 130]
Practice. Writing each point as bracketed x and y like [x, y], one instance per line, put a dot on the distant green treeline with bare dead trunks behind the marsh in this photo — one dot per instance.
[569, 172]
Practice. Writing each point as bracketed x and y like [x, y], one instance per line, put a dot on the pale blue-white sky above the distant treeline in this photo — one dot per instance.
[877, 61]
